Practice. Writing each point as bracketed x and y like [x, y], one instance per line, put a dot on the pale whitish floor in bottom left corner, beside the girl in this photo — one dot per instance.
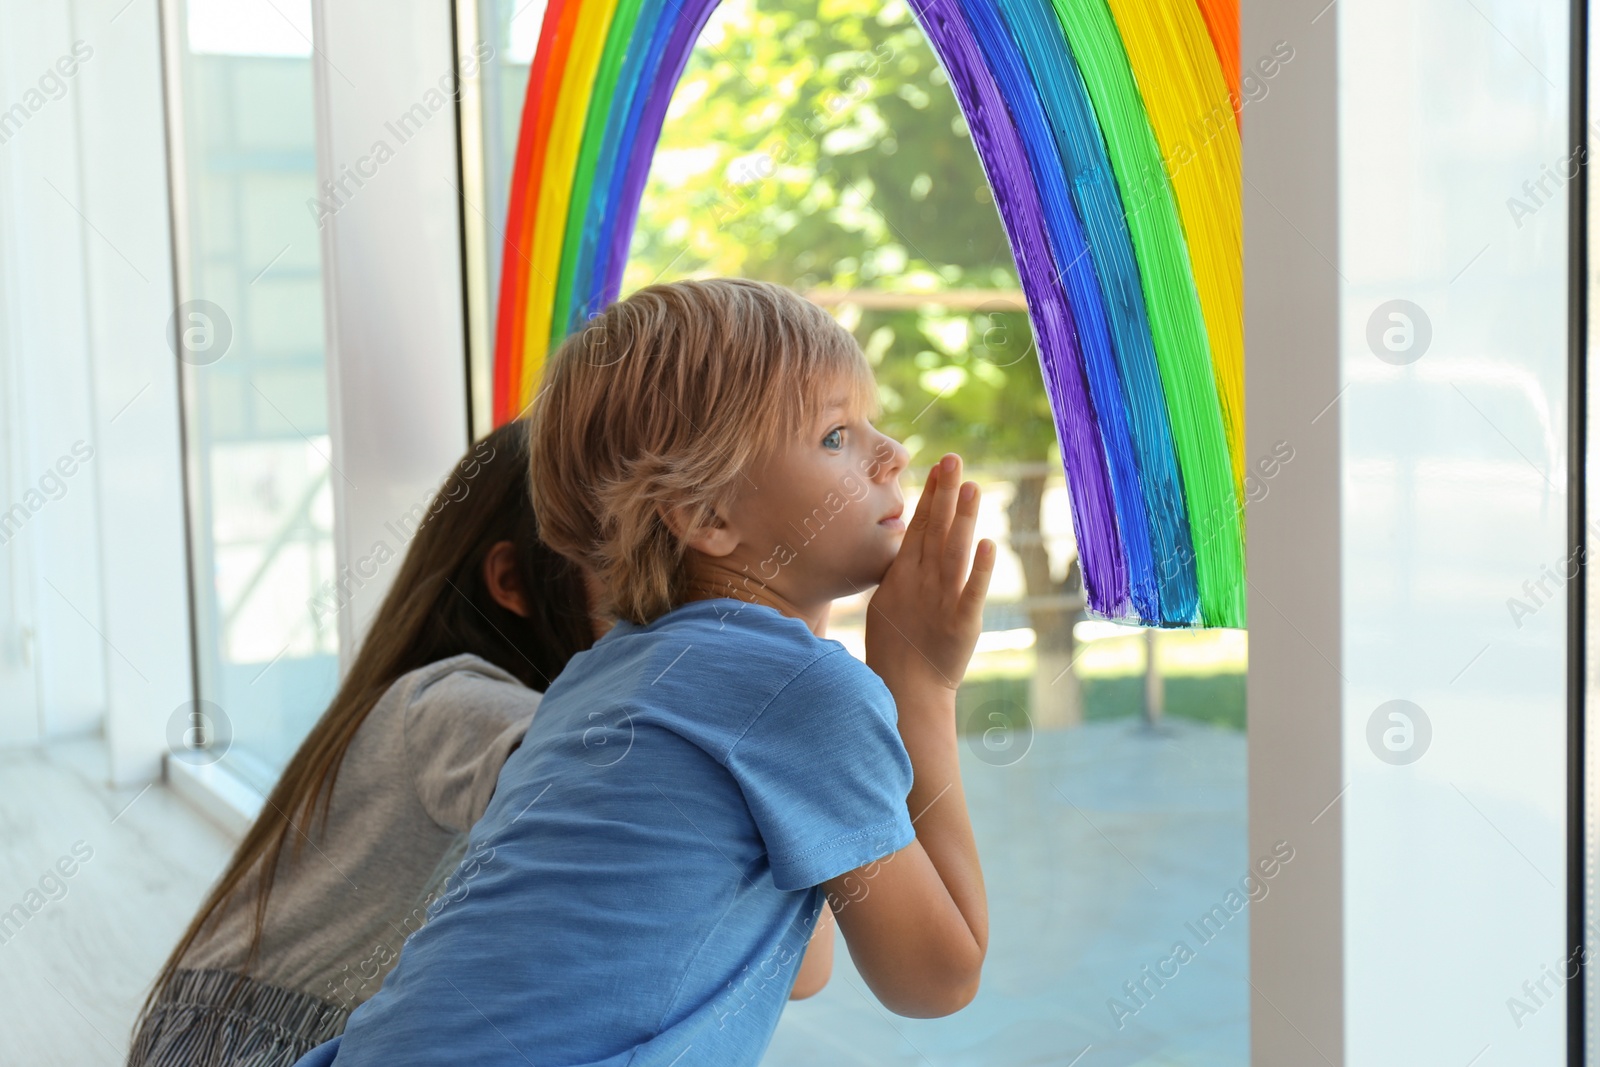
[74, 972]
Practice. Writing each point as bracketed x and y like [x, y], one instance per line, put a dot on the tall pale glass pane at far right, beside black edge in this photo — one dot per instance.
[1454, 508]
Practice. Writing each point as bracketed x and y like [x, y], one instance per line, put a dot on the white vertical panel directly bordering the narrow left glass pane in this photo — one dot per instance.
[140, 481]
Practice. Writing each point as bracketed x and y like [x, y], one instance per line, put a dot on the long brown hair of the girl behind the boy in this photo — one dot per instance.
[438, 607]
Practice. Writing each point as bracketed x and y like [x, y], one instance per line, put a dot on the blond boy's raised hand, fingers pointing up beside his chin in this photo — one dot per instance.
[927, 613]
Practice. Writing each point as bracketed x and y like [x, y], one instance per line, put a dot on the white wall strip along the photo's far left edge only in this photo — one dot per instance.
[44, 241]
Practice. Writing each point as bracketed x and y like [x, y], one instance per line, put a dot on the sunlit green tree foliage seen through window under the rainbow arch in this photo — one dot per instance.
[817, 143]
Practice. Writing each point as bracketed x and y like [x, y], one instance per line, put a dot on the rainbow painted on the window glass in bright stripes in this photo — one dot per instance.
[1110, 135]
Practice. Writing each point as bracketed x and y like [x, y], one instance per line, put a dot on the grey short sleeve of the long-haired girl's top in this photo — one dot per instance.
[458, 733]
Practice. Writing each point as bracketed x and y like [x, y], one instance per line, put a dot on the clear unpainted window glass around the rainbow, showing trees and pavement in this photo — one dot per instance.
[1108, 794]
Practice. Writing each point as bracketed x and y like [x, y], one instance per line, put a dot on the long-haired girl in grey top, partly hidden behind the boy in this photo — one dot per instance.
[478, 625]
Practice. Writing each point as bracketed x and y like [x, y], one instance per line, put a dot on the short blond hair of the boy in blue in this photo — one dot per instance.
[666, 401]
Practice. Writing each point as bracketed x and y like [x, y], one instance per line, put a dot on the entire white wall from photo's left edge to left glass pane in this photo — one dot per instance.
[89, 298]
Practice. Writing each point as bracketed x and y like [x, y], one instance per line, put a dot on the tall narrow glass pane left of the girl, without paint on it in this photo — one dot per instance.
[257, 412]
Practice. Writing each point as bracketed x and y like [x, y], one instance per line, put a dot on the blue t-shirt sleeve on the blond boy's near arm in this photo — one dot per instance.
[826, 773]
